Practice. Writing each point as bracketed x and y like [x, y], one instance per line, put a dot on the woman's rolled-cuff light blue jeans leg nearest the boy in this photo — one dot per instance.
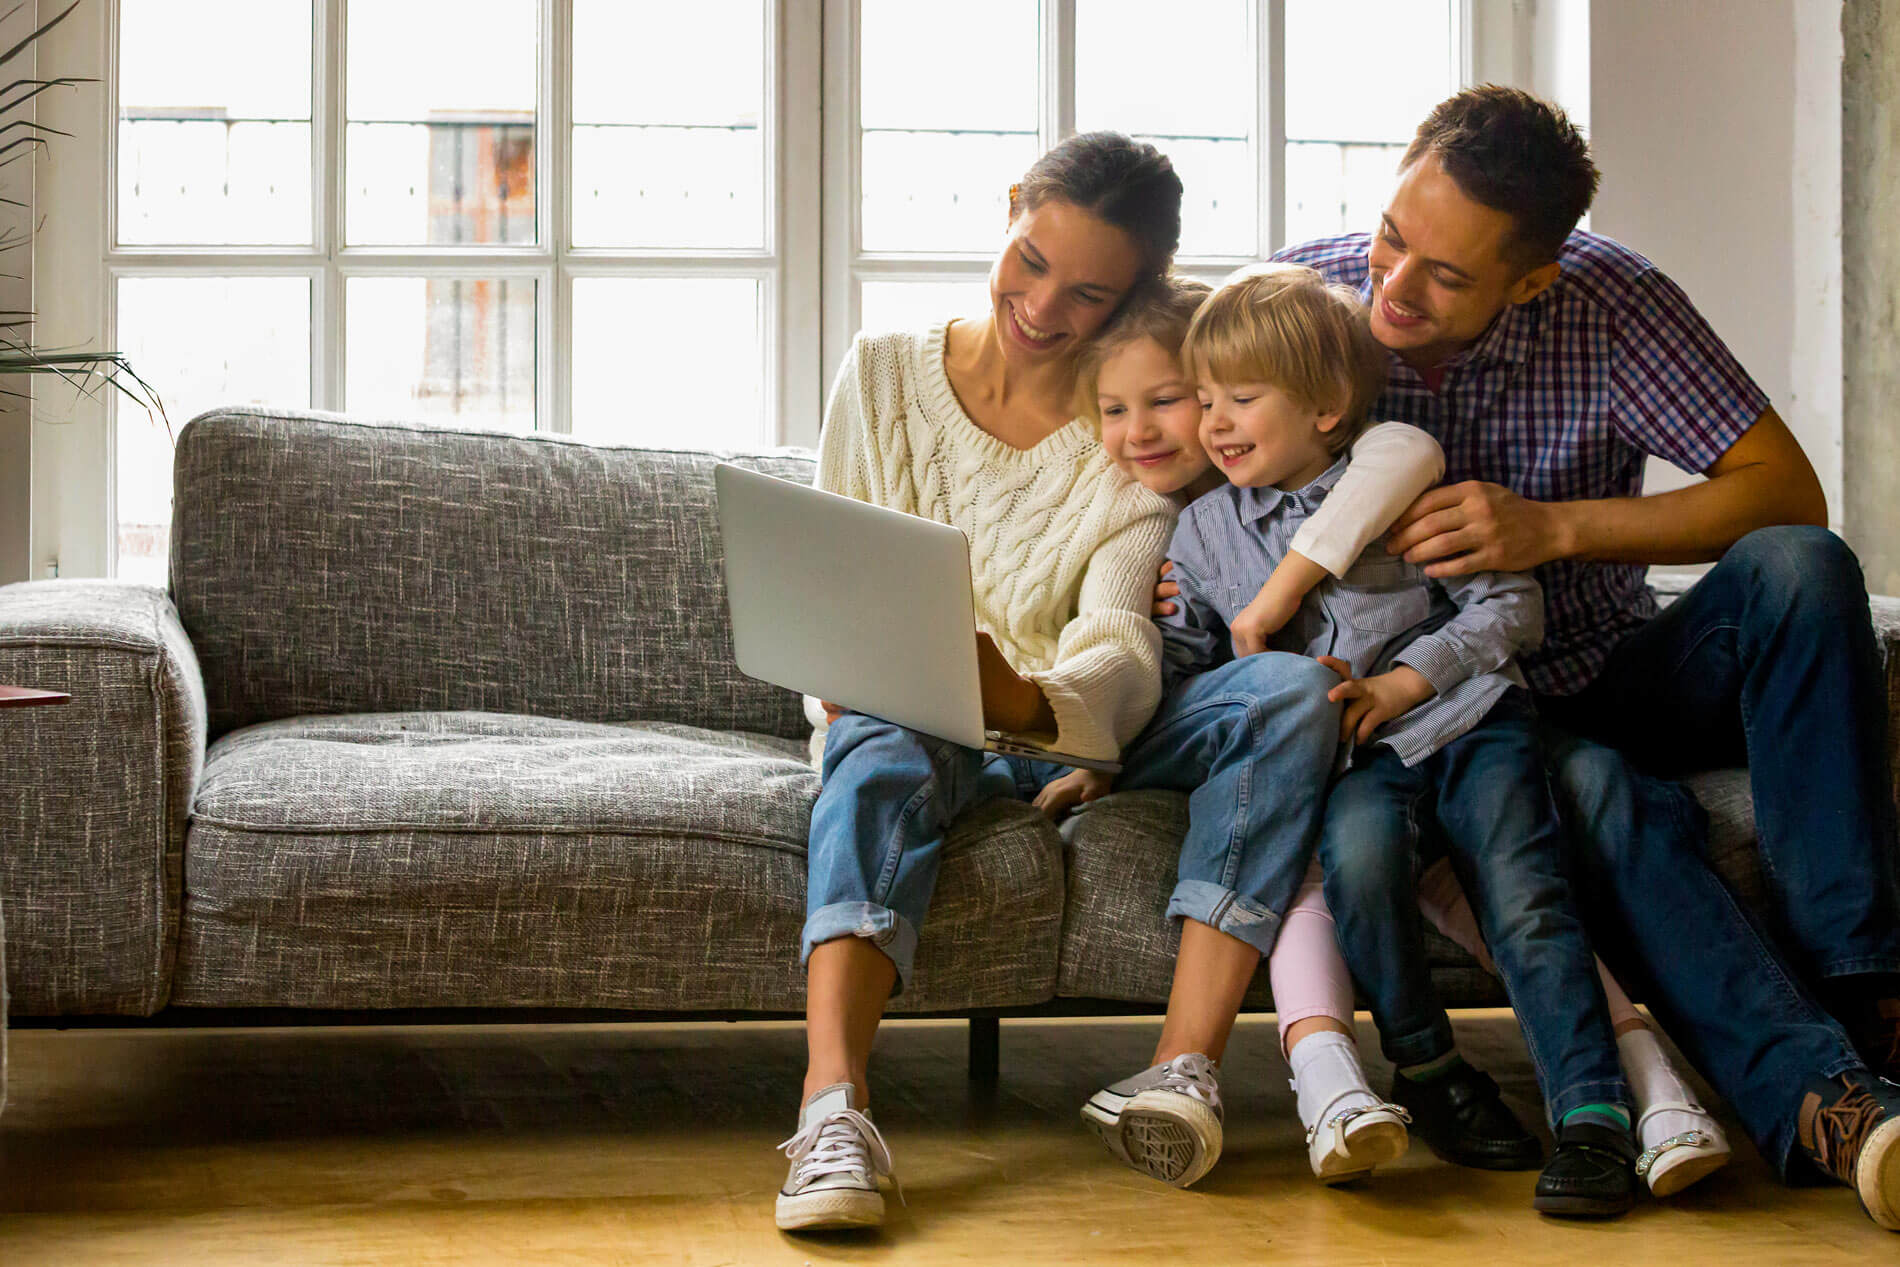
[1253, 744]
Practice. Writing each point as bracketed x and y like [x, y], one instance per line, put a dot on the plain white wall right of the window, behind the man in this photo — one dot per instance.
[1719, 132]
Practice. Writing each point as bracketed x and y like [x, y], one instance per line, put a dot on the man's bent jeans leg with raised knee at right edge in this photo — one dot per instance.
[1772, 662]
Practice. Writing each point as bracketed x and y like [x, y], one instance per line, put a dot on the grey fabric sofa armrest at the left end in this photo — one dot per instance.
[96, 795]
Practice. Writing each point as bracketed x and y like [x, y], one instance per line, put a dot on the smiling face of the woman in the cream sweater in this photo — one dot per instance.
[1059, 278]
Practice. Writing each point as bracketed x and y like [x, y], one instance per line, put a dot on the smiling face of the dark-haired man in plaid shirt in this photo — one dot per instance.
[1441, 267]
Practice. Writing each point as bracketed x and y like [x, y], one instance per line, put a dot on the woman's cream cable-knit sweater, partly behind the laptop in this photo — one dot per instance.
[1063, 546]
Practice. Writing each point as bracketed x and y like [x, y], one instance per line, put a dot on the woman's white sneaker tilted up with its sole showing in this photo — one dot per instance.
[1164, 1122]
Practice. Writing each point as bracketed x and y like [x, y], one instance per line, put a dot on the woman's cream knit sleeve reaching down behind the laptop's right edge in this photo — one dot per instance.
[1107, 677]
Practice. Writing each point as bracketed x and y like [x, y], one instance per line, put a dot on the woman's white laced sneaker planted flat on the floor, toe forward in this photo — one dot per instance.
[837, 1162]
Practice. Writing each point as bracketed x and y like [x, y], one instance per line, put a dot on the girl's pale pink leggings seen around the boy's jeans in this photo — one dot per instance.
[1310, 977]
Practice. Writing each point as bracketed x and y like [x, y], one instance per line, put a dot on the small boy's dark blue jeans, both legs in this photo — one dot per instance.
[1491, 797]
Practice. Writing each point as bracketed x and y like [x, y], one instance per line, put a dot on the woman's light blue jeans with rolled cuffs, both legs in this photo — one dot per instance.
[1251, 742]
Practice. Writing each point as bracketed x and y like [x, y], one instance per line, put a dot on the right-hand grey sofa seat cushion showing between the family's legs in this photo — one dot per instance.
[1122, 852]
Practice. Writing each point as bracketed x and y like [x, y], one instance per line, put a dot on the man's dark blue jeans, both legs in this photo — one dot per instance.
[1768, 660]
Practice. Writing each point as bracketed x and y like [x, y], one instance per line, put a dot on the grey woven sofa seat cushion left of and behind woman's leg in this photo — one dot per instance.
[478, 860]
